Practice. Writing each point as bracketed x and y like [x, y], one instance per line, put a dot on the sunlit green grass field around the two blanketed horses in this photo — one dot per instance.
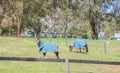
[27, 48]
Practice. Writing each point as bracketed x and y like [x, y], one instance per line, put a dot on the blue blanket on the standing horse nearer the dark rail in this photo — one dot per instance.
[47, 47]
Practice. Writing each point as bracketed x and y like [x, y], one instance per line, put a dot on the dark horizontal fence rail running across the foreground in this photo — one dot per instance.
[57, 60]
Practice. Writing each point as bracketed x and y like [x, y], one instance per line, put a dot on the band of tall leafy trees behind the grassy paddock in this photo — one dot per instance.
[59, 16]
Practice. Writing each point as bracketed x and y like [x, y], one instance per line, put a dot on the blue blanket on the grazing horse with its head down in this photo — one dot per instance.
[79, 43]
